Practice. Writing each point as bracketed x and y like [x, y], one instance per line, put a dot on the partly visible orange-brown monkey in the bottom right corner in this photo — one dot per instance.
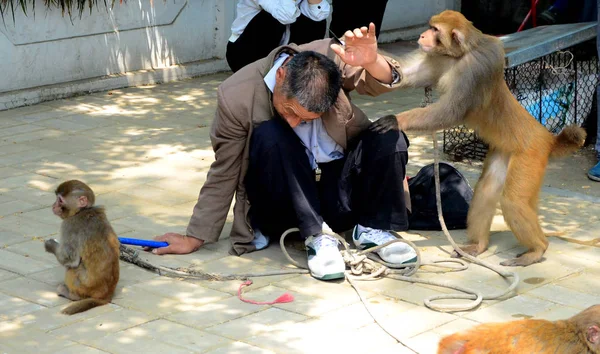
[579, 334]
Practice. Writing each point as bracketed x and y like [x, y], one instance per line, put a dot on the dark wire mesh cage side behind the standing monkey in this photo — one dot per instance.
[556, 89]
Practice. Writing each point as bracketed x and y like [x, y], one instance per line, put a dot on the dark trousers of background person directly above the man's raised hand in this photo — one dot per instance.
[351, 14]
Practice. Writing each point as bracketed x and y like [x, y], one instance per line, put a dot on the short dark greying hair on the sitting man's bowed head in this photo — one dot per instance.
[314, 80]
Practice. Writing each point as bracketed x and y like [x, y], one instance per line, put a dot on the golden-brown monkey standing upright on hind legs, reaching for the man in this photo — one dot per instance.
[467, 67]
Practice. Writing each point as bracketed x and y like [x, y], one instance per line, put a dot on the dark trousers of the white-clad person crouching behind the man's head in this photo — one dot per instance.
[264, 33]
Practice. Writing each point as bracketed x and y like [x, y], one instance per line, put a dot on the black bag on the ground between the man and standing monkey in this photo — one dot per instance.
[456, 197]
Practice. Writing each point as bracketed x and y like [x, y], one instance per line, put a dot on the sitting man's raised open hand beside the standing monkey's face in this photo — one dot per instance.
[360, 48]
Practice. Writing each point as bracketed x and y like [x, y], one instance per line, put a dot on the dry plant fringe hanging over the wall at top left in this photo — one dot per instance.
[66, 6]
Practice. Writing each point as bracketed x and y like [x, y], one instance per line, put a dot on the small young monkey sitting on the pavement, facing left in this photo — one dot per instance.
[88, 248]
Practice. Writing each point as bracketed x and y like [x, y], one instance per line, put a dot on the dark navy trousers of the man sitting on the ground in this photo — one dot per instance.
[365, 187]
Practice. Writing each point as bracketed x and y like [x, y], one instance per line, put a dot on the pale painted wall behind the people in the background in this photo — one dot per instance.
[50, 56]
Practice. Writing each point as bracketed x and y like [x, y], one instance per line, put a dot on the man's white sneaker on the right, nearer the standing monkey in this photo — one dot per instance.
[396, 253]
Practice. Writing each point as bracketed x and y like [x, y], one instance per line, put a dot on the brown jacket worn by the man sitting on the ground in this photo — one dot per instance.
[244, 101]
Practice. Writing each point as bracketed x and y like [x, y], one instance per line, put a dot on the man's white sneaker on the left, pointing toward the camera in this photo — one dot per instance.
[324, 259]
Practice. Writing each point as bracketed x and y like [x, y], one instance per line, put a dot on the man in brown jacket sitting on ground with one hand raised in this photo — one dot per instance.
[296, 152]
